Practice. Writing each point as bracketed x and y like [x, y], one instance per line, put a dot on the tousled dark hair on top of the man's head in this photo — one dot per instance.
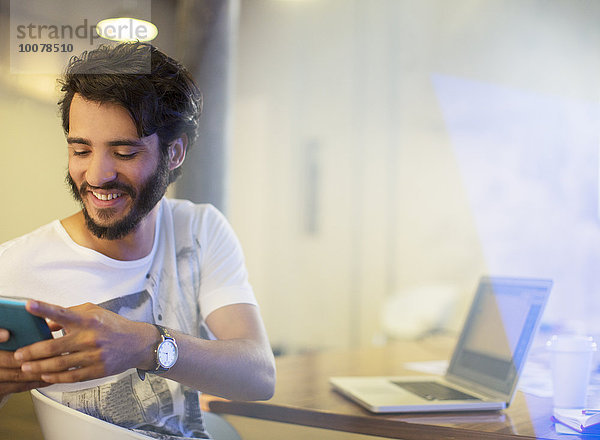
[157, 91]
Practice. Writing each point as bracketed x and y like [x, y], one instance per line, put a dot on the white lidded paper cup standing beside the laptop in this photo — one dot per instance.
[572, 357]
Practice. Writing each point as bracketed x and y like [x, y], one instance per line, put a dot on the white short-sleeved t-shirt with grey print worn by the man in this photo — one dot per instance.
[195, 267]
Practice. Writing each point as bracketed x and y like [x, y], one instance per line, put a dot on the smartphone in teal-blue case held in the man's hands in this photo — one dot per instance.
[24, 328]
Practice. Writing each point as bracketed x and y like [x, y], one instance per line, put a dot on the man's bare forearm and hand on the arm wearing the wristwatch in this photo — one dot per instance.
[100, 343]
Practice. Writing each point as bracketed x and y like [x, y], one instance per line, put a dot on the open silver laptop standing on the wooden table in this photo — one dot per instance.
[486, 363]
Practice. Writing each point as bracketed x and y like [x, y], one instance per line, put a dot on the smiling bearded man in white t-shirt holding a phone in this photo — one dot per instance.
[151, 294]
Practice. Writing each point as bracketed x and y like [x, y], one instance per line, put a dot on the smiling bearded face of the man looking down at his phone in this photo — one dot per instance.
[113, 208]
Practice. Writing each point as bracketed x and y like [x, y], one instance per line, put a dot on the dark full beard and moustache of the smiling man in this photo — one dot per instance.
[152, 190]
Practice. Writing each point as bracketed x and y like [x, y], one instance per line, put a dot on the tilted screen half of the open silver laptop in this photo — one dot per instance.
[500, 327]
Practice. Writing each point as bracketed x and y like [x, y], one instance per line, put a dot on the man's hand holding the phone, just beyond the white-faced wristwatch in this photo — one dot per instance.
[97, 343]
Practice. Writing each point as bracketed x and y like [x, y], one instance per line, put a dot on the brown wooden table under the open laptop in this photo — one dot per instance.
[303, 396]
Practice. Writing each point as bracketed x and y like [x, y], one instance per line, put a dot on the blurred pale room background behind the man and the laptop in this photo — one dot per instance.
[375, 157]
